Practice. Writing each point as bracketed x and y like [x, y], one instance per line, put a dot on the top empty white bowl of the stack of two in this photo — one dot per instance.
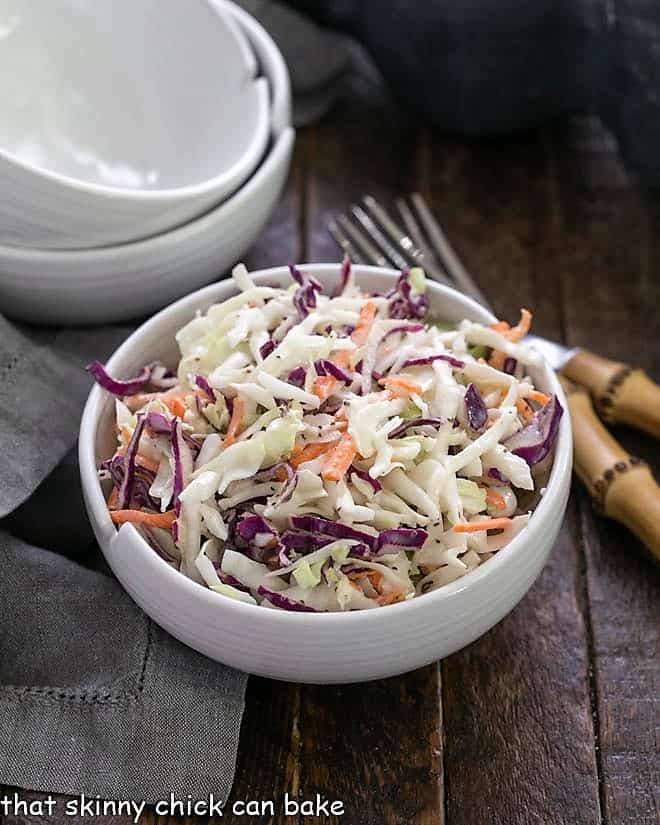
[122, 119]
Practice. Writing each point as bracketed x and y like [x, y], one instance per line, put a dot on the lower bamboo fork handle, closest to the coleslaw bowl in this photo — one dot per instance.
[621, 485]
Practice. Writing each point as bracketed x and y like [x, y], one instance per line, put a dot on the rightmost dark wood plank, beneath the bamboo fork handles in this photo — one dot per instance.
[613, 306]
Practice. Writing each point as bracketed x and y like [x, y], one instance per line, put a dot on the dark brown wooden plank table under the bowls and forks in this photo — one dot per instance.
[551, 717]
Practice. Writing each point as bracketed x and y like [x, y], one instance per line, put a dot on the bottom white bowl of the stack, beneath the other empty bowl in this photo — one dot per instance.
[128, 281]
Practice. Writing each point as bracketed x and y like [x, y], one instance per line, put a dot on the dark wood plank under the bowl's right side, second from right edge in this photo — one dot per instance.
[519, 743]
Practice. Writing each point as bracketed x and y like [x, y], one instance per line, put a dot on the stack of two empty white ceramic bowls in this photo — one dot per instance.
[143, 147]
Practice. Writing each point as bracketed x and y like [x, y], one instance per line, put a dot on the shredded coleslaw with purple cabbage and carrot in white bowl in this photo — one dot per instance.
[327, 452]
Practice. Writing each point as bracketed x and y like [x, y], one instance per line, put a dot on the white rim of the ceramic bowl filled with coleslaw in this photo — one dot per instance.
[543, 511]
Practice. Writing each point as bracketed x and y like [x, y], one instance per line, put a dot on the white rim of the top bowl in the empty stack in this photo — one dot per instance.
[231, 21]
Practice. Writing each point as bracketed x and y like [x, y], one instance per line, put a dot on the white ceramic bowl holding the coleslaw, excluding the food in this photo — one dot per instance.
[332, 647]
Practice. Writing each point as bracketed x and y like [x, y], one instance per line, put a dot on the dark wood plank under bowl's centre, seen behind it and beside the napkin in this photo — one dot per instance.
[377, 747]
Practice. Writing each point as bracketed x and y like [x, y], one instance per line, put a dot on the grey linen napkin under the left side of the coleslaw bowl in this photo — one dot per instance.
[94, 698]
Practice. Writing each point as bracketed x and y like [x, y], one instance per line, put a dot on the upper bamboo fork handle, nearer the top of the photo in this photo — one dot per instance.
[621, 394]
